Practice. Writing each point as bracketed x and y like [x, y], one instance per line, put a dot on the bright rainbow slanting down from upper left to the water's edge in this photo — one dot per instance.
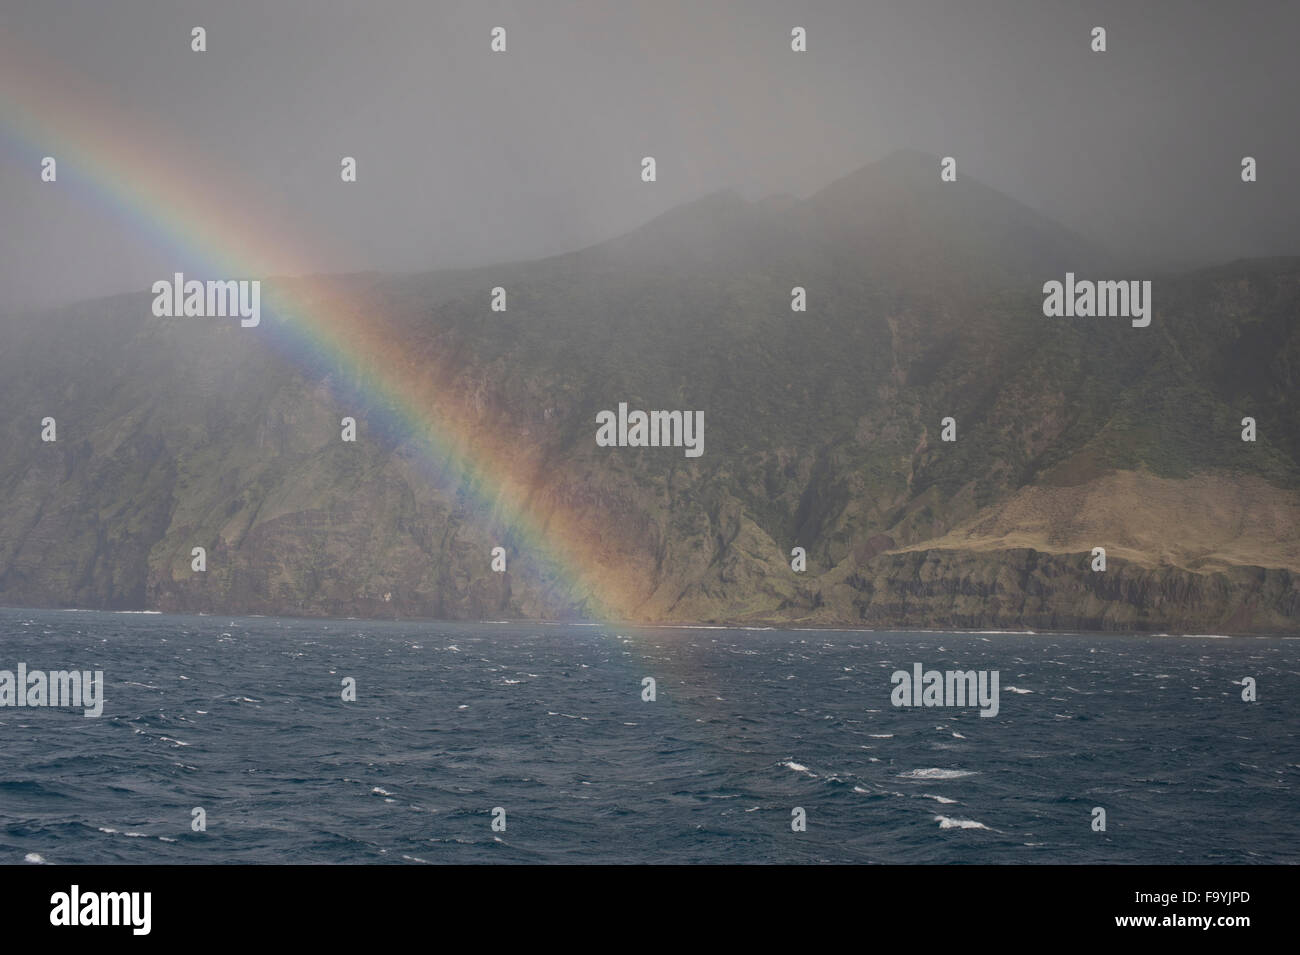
[210, 228]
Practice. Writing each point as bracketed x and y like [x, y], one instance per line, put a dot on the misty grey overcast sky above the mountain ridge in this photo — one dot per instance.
[467, 157]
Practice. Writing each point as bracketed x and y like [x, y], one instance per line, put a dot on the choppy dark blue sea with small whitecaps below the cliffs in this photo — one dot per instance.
[244, 718]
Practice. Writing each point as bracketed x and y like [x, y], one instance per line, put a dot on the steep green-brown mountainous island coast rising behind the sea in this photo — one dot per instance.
[822, 432]
